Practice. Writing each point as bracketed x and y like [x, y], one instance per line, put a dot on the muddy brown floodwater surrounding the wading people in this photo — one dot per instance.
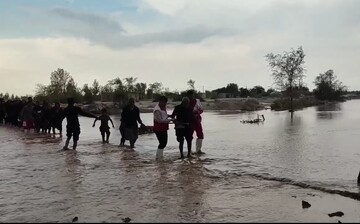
[250, 172]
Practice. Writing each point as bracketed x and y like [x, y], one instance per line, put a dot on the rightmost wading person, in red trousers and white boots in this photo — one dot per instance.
[196, 125]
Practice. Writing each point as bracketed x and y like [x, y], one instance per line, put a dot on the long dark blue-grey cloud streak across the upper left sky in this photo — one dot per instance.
[101, 30]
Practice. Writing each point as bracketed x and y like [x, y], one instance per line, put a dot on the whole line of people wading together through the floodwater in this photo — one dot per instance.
[186, 117]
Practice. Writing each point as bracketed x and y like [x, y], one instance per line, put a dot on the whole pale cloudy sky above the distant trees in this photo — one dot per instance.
[214, 42]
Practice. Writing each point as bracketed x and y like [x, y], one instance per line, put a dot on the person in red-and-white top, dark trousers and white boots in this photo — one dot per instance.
[161, 125]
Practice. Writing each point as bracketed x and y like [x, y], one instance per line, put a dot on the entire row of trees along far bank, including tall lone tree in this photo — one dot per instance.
[287, 71]
